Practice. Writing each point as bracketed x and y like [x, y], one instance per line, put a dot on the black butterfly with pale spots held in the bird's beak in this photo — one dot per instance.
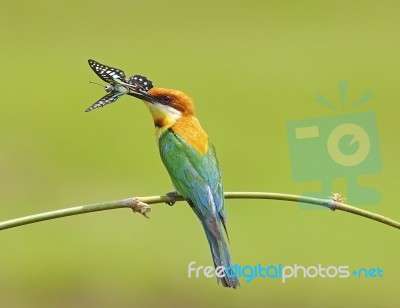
[118, 85]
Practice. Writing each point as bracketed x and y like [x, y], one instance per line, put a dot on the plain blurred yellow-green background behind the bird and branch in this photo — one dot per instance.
[251, 66]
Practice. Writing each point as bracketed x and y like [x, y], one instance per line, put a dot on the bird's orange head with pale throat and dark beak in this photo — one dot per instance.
[166, 105]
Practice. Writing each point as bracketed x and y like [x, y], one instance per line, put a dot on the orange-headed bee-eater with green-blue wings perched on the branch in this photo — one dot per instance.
[192, 164]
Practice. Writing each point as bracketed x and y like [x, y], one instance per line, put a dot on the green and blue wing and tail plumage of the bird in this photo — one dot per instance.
[197, 178]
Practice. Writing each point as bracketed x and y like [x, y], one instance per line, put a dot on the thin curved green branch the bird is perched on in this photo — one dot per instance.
[140, 205]
